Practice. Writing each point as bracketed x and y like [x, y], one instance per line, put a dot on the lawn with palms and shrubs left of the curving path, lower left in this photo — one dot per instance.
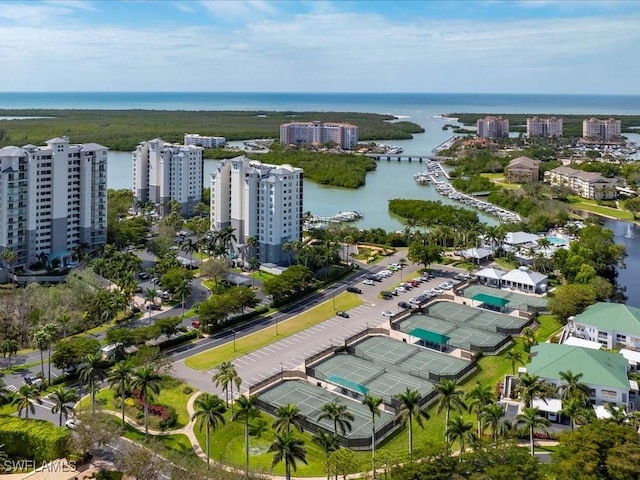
[170, 394]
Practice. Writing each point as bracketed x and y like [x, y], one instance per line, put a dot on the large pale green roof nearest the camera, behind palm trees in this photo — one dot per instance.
[598, 367]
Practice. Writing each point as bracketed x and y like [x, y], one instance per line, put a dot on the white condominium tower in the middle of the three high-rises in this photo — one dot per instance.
[164, 171]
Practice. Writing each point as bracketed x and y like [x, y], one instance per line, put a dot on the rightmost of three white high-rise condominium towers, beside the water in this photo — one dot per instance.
[260, 201]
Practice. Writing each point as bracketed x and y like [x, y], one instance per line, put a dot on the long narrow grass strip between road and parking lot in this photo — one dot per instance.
[318, 314]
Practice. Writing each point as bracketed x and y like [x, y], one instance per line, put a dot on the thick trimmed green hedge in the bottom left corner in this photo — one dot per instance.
[36, 439]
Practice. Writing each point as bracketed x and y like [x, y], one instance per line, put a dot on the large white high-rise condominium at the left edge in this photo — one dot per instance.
[53, 198]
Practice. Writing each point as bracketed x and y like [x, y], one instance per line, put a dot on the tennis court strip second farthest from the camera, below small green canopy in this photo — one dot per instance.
[476, 317]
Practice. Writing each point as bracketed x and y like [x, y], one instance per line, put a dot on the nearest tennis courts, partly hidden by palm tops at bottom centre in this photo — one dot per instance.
[310, 399]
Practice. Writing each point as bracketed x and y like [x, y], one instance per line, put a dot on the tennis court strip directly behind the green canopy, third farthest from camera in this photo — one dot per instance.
[462, 336]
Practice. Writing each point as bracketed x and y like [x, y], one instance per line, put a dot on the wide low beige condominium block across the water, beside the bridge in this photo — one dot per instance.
[308, 133]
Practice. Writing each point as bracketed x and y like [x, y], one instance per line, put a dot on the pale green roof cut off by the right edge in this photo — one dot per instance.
[612, 316]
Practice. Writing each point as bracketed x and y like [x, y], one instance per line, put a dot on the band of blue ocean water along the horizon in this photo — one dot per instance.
[411, 104]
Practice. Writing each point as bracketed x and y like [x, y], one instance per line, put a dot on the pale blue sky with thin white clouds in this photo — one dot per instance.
[464, 46]
